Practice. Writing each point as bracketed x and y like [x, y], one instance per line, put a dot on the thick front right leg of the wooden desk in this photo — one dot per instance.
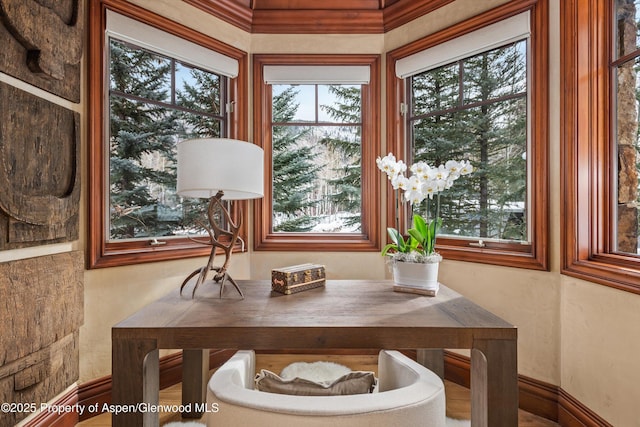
[494, 383]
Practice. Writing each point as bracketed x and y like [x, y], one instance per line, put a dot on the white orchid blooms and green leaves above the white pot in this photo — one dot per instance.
[424, 183]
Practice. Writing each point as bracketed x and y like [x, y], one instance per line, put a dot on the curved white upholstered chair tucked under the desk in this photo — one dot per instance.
[409, 395]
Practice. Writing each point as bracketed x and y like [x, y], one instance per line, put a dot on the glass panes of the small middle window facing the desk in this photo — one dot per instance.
[316, 147]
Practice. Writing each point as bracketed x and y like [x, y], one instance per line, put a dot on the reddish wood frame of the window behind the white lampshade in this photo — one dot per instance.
[101, 252]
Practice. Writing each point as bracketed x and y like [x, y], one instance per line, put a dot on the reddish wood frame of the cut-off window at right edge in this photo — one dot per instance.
[587, 142]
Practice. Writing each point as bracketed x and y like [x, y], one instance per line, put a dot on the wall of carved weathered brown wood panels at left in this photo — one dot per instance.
[41, 298]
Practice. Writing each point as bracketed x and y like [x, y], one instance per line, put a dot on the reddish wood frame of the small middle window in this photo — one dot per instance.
[369, 238]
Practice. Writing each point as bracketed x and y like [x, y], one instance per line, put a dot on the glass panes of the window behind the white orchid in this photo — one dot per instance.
[476, 109]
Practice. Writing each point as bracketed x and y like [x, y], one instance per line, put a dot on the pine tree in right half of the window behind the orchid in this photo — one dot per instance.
[500, 131]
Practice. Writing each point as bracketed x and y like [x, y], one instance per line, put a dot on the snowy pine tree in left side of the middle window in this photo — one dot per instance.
[294, 169]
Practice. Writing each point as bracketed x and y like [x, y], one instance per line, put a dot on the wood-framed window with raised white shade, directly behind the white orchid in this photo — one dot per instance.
[477, 91]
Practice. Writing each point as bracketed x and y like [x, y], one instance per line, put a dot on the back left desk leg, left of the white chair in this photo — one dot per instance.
[195, 370]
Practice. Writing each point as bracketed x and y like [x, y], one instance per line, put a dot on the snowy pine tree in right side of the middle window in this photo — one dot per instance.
[346, 145]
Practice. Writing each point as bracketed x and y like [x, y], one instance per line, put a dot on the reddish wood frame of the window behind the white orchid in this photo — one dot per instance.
[535, 255]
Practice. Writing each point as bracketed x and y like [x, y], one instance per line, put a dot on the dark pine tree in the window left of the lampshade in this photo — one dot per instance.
[138, 131]
